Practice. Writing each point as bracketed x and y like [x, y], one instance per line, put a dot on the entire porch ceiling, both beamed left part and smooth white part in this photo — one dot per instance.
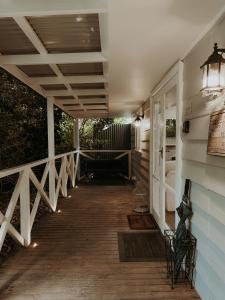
[98, 57]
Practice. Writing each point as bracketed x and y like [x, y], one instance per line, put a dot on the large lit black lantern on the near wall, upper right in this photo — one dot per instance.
[213, 81]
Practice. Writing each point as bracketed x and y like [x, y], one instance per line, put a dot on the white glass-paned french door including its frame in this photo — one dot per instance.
[165, 150]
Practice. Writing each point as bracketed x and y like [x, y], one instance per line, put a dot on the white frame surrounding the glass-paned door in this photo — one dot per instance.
[176, 74]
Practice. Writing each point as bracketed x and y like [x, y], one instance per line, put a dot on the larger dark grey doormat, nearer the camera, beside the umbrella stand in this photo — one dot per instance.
[141, 246]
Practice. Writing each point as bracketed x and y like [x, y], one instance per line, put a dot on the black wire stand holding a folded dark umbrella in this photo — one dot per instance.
[181, 244]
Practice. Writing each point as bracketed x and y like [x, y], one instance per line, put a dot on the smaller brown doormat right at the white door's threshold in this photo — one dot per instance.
[141, 222]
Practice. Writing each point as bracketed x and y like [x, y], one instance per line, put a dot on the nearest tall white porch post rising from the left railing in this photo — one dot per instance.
[51, 152]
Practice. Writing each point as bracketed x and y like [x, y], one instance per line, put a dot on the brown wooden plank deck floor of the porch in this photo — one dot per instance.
[77, 256]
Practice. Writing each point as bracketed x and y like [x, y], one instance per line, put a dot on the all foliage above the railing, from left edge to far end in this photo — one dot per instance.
[23, 125]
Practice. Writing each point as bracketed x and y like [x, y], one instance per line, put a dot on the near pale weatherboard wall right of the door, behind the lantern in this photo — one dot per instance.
[206, 172]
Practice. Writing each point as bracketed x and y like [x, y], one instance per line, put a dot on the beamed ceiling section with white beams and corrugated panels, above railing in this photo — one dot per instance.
[58, 53]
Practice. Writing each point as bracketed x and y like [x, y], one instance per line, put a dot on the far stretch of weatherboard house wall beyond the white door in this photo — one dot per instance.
[140, 157]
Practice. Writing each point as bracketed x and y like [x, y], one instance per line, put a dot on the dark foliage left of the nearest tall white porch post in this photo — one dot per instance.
[23, 123]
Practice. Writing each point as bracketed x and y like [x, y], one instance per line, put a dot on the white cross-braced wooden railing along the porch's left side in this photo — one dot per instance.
[26, 175]
